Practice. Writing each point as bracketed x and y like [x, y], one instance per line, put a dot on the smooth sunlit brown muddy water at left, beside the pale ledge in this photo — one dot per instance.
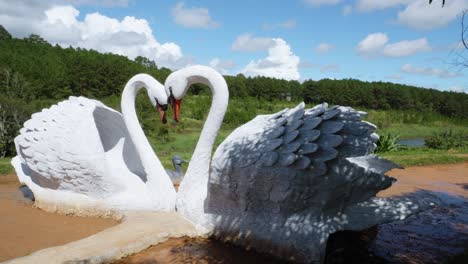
[24, 229]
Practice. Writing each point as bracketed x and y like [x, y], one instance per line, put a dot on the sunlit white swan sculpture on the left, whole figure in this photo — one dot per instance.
[82, 157]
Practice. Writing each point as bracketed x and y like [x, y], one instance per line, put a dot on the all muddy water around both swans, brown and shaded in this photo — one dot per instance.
[430, 237]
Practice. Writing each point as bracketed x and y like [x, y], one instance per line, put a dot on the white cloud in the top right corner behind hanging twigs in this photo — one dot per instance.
[420, 15]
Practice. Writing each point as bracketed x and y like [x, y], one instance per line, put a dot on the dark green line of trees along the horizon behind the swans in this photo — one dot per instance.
[35, 74]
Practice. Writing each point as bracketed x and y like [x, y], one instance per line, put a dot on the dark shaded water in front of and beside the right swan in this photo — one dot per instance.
[429, 237]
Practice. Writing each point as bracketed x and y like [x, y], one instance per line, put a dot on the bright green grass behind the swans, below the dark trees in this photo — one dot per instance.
[181, 138]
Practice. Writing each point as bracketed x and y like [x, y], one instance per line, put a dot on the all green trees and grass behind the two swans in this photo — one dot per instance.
[35, 75]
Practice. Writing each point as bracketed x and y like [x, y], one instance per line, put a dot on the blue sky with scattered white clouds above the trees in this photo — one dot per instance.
[403, 41]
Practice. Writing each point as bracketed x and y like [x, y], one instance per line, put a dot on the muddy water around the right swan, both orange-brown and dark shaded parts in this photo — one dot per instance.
[429, 237]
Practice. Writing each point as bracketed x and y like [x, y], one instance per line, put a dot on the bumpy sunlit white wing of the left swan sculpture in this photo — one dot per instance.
[60, 147]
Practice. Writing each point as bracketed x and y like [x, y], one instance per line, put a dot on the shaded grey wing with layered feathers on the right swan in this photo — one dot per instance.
[301, 159]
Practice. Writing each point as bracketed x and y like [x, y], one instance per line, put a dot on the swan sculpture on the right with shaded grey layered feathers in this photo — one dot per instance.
[282, 183]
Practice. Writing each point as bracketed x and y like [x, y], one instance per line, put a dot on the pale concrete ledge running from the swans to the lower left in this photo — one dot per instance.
[138, 231]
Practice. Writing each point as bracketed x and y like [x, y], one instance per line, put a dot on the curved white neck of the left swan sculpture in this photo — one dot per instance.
[148, 158]
